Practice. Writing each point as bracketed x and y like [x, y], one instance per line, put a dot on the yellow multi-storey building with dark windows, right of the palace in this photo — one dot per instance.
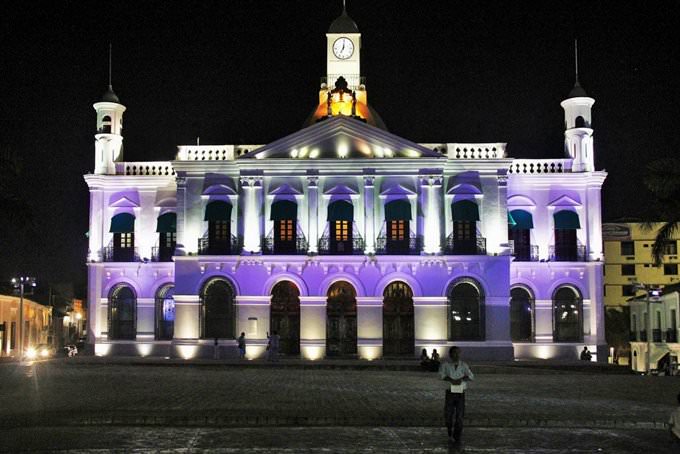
[628, 259]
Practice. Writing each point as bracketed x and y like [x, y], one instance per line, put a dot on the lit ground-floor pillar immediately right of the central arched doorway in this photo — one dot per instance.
[369, 327]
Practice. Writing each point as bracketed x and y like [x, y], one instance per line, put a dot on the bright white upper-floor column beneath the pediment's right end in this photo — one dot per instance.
[430, 195]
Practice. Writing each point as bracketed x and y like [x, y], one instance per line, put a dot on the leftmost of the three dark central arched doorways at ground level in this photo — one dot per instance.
[285, 316]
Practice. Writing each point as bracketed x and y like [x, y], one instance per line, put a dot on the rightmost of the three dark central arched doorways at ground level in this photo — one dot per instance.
[398, 330]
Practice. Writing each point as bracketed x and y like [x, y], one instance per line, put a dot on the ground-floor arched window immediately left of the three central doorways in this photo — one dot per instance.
[217, 310]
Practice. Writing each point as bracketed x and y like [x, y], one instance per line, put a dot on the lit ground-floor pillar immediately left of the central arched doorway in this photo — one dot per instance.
[312, 327]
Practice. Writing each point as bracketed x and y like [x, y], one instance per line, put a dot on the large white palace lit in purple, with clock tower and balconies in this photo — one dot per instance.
[347, 239]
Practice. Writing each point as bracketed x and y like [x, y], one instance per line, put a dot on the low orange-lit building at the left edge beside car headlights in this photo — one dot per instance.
[37, 321]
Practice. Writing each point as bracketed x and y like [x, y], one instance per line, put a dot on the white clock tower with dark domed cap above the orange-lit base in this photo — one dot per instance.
[343, 51]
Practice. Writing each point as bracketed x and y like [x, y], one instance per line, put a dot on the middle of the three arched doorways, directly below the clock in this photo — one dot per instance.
[341, 320]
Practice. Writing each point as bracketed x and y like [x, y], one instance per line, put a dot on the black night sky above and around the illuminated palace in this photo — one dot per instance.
[248, 72]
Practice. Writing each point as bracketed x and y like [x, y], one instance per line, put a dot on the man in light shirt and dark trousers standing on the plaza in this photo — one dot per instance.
[457, 373]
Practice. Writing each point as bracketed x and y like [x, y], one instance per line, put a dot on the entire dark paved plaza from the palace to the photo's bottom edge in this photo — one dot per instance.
[69, 404]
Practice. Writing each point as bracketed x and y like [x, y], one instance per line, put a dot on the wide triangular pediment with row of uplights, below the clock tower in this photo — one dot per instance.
[342, 138]
